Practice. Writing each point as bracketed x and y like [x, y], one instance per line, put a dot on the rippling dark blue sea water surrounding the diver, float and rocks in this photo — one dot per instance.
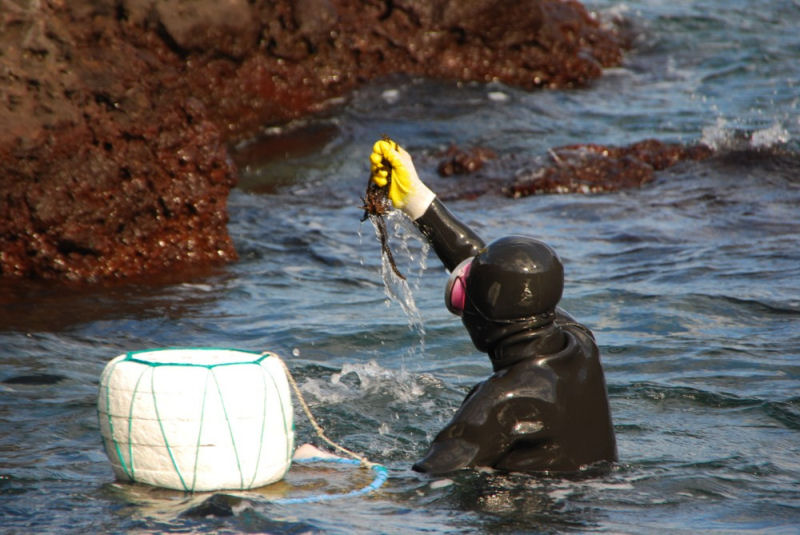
[691, 285]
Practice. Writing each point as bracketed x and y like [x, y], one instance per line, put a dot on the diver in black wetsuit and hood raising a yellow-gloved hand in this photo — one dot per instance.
[545, 407]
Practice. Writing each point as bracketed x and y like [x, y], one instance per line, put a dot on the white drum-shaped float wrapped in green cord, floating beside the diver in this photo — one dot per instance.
[197, 419]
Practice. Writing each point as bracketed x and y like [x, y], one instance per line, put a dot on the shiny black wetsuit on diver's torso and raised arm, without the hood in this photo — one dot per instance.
[545, 408]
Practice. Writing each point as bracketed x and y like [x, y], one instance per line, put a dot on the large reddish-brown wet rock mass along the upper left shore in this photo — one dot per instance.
[116, 116]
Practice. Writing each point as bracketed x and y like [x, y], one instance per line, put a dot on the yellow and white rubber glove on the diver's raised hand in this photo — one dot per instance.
[407, 192]
